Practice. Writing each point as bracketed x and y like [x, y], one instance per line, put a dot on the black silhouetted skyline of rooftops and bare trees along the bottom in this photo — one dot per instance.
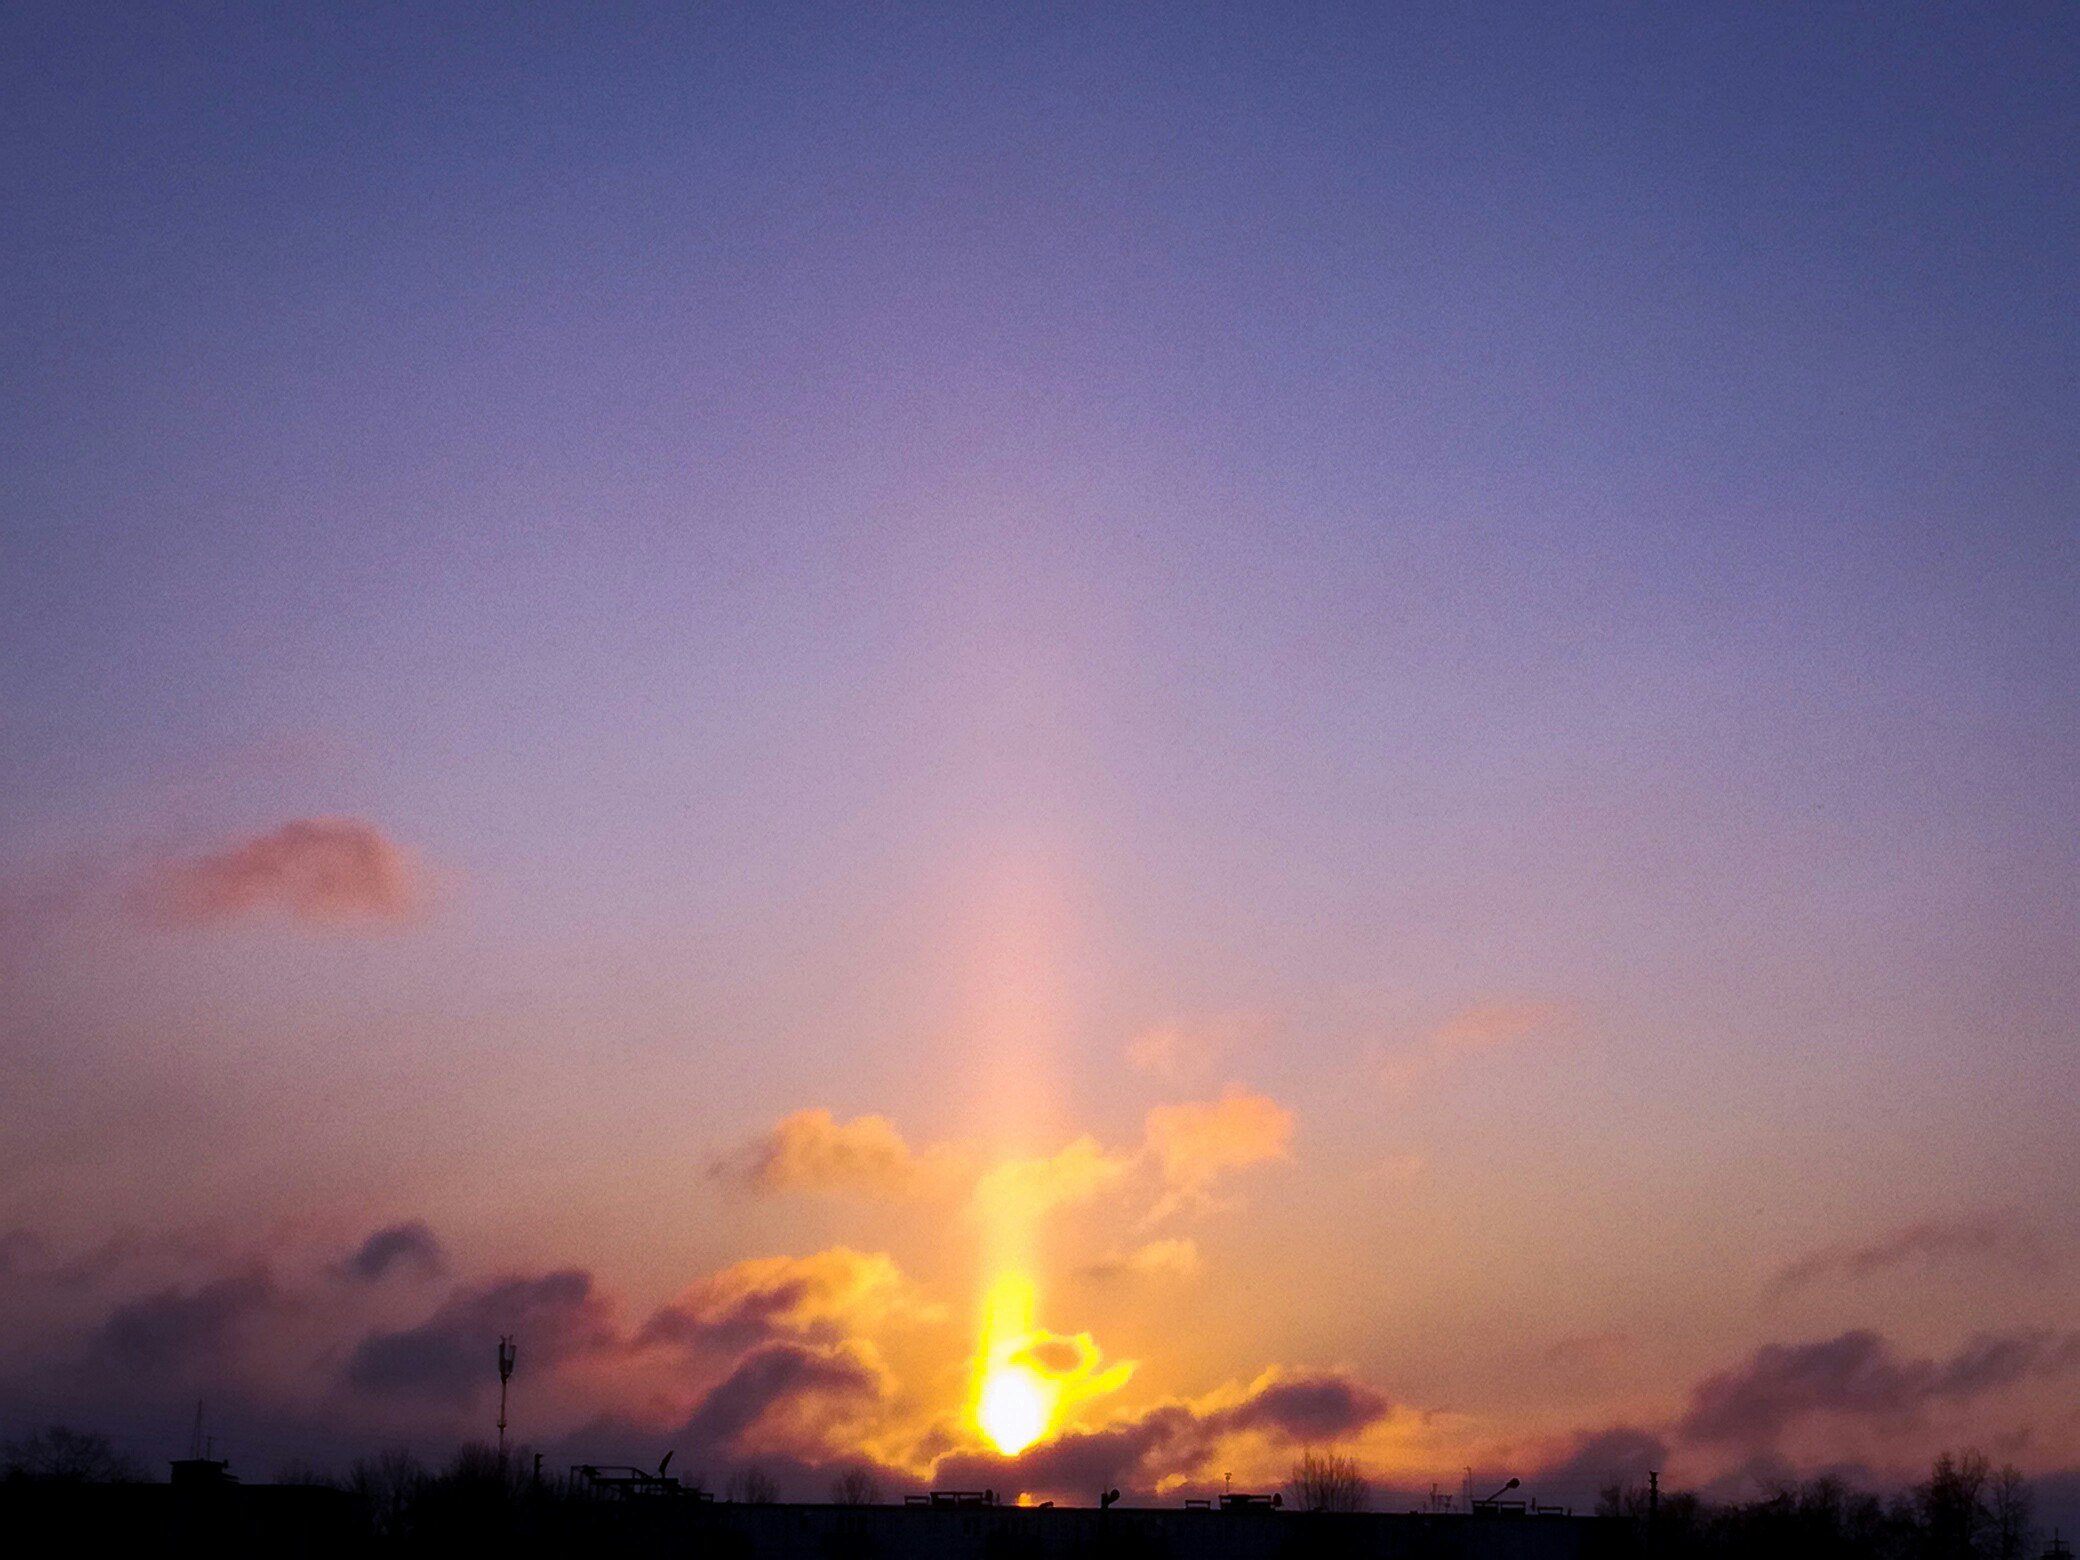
[78, 1486]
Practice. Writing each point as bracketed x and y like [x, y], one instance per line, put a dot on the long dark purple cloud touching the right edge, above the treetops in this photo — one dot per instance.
[1858, 1374]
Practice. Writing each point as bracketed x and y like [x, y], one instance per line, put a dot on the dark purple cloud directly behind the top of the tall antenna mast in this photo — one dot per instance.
[452, 1355]
